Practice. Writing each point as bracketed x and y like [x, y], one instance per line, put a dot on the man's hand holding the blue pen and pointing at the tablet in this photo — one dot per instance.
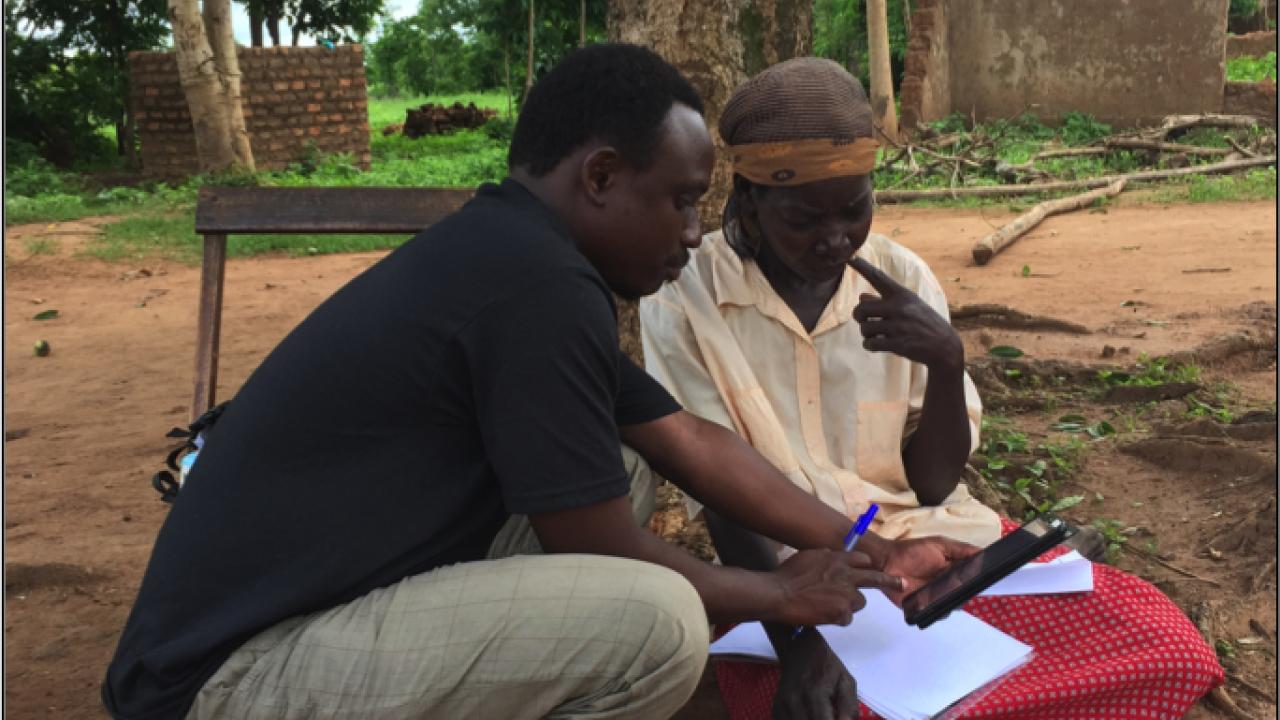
[820, 587]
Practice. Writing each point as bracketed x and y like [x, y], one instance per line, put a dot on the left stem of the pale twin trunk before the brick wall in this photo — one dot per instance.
[200, 84]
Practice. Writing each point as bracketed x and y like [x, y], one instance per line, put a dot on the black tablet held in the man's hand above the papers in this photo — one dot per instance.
[964, 580]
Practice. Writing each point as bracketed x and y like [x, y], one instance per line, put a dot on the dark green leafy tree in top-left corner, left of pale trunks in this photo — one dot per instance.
[68, 69]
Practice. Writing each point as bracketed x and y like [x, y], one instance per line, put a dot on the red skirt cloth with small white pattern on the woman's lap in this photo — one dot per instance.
[1121, 651]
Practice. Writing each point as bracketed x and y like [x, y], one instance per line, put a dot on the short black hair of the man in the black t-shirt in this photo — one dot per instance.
[615, 93]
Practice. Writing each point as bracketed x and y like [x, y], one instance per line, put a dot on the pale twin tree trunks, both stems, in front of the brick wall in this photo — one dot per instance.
[207, 89]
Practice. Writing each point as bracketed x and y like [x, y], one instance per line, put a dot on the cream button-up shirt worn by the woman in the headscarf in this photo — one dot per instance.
[828, 413]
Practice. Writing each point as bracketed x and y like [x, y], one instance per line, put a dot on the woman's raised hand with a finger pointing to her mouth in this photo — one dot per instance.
[899, 322]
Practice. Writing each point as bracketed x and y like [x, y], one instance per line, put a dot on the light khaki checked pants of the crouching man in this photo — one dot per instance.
[532, 636]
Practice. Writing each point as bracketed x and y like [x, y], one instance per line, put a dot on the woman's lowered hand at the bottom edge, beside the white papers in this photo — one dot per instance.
[815, 685]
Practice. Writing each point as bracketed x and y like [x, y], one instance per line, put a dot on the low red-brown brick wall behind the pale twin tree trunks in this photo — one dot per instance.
[292, 98]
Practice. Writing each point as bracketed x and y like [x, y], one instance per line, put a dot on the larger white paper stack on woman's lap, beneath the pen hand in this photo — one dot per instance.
[904, 673]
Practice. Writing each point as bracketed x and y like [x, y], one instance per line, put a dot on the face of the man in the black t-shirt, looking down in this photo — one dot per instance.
[651, 221]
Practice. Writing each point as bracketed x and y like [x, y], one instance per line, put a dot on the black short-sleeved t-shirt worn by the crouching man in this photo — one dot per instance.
[470, 375]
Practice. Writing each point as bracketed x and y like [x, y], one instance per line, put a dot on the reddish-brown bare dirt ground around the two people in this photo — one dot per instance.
[1195, 498]
